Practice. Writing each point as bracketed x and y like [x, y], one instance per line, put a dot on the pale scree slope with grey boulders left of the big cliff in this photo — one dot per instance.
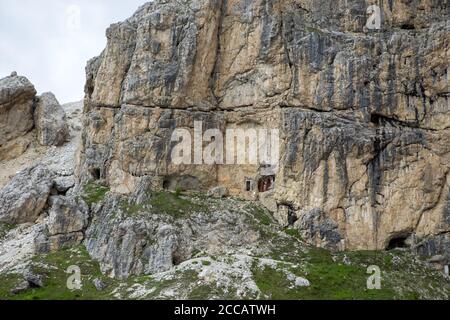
[38, 211]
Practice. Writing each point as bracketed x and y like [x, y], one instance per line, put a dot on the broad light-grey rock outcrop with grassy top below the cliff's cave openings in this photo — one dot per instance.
[129, 237]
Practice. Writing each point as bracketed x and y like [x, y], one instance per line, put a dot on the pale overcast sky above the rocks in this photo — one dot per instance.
[50, 41]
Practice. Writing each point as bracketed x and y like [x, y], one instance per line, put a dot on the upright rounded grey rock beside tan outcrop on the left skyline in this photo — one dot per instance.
[50, 121]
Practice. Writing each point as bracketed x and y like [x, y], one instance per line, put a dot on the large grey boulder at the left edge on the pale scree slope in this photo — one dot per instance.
[24, 198]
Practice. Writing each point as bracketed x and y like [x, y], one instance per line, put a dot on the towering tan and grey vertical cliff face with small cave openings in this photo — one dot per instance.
[363, 115]
